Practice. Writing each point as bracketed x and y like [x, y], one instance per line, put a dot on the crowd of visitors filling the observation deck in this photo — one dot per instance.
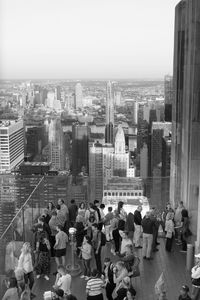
[94, 228]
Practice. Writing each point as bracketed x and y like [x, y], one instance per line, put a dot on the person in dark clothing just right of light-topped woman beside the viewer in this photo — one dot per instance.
[96, 242]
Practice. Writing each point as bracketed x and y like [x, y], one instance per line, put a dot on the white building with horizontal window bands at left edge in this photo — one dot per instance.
[11, 144]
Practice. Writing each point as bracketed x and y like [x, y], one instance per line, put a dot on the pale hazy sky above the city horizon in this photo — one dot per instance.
[86, 38]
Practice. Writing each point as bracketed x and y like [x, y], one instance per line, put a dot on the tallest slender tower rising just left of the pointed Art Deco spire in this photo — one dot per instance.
[109, 114]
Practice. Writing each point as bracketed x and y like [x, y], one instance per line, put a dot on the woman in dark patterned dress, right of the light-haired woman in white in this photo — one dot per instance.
[43, 248]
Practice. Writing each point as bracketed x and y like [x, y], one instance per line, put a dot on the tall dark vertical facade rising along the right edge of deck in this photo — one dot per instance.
[185, 155]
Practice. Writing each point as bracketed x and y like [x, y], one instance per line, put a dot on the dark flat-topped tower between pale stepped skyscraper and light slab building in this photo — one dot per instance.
[80, 141]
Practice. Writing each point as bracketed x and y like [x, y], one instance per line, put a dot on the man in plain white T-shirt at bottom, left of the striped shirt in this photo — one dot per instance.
[63, 280]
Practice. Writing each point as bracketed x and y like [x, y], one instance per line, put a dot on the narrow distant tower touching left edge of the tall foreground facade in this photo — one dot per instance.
[168, 90]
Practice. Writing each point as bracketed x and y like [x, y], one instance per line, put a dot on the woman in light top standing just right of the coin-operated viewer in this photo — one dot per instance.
[86, 251]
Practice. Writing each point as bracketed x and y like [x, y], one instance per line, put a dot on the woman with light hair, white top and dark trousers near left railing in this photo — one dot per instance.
[26, 264]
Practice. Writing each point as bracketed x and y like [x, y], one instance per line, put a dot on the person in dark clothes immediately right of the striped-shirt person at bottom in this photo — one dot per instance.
[108, 275]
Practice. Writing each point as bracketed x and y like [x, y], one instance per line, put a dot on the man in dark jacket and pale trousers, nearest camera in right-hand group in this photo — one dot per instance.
[147, 226]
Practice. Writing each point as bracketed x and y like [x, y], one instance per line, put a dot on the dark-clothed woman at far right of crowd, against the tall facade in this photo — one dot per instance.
[185, 231]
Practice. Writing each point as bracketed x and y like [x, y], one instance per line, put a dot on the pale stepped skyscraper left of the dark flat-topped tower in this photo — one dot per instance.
[56, 145]
